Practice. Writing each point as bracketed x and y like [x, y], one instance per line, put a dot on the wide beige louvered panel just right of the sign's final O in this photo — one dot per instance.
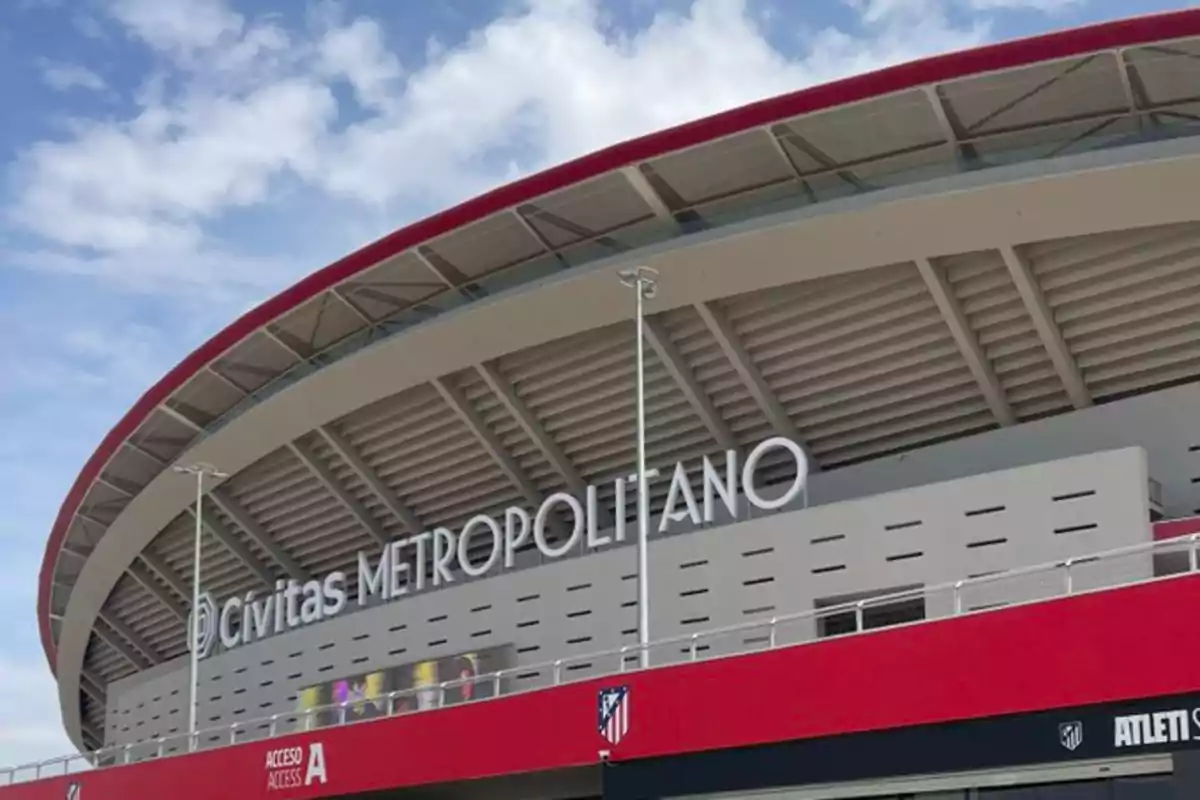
[835, 351]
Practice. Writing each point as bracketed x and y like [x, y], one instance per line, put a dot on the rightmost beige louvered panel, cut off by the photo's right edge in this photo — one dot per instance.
[1127, 304]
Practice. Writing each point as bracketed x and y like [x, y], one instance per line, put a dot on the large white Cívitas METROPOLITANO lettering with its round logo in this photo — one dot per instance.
[389, 574]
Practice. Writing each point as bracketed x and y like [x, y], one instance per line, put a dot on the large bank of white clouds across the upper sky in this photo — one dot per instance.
[243, 107]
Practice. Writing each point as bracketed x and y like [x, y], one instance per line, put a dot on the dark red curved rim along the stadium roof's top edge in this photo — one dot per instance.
[941, 69]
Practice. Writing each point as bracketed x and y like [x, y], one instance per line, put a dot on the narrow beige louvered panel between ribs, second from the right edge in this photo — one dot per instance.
[1004, 329]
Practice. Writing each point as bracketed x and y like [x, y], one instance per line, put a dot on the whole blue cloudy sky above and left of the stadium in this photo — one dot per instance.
[165, 165]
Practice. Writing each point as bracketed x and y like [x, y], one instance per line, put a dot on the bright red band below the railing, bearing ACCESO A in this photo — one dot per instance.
[1115, 646]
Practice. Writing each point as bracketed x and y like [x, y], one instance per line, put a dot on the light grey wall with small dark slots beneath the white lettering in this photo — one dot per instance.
[724, 575]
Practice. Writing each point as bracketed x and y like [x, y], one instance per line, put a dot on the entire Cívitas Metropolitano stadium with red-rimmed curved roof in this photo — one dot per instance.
[922, 377]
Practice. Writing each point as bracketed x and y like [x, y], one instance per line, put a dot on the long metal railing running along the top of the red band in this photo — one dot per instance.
[981, 594]
